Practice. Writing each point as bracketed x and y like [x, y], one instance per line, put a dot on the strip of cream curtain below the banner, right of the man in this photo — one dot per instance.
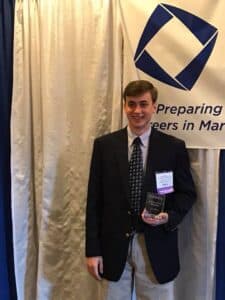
[197, 235]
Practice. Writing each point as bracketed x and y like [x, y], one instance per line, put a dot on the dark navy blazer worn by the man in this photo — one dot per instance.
[108, 217]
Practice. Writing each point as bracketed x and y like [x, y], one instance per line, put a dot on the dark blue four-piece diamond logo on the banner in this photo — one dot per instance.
[205, 33]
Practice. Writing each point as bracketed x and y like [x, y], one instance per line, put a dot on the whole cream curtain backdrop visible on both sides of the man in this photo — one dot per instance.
[68, 67]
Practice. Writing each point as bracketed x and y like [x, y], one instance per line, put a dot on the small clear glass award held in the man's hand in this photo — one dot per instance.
[154, 204]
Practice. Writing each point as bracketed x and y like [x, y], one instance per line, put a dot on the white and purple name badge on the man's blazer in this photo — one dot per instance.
[164, 182]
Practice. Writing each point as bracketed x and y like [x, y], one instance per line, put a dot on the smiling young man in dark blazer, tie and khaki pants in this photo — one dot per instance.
[125, 245]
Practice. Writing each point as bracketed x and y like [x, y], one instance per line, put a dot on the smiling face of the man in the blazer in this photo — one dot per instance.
[139, 111]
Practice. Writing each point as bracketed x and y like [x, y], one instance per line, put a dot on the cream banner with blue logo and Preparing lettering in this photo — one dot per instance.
[179, 46]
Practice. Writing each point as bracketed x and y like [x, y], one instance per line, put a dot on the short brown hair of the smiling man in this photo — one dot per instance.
[138, 88]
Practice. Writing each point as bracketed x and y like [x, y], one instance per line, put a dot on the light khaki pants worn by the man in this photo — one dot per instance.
[137, 281]
